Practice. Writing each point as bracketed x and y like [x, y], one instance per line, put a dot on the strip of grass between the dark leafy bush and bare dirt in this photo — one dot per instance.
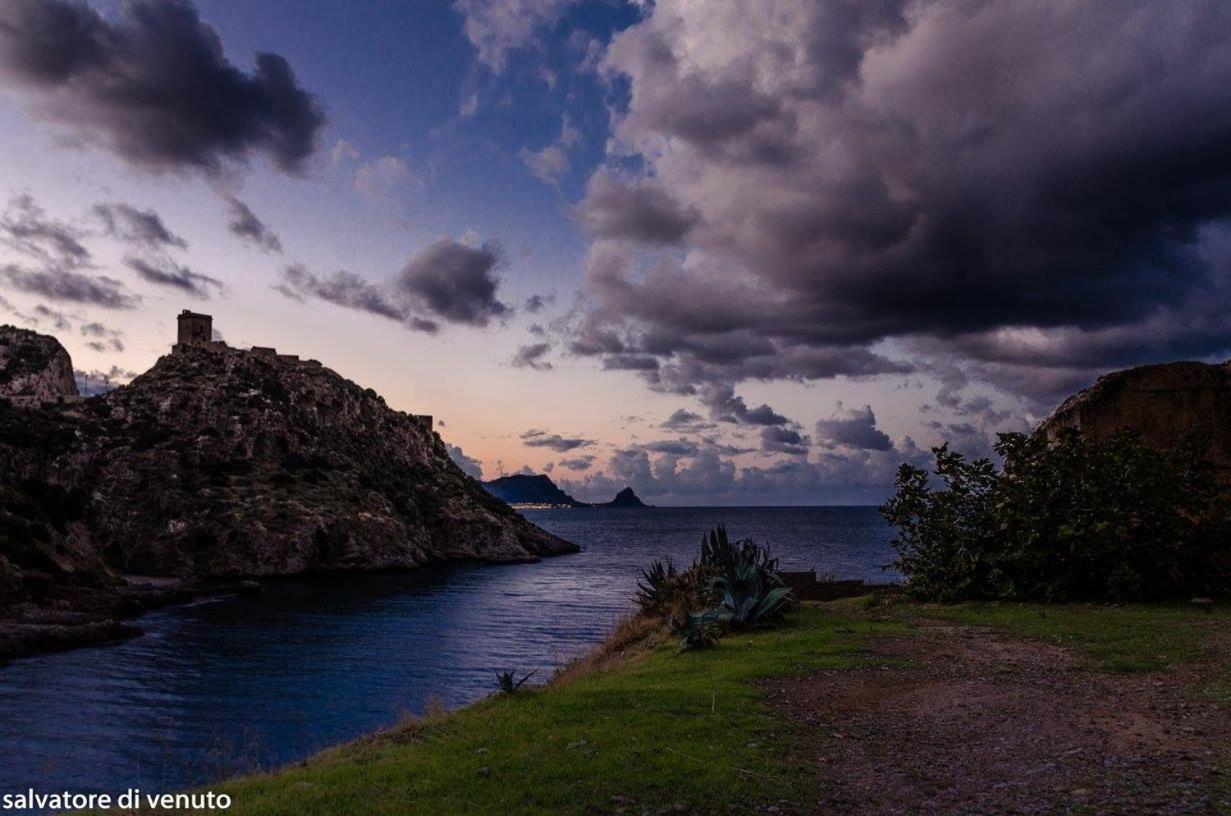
[1123, 639]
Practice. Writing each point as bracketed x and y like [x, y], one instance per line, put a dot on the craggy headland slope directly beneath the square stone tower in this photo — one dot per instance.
[220, 462]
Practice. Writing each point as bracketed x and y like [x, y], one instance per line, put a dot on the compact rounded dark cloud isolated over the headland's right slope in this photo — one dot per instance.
[455, 281]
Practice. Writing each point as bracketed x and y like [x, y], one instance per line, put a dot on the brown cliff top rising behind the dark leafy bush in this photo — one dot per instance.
[1169, 404]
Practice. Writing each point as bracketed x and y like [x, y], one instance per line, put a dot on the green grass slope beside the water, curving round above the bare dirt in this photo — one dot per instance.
[668, 729]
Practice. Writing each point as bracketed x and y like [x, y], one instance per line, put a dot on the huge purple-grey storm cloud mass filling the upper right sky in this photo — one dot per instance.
[1035, 190]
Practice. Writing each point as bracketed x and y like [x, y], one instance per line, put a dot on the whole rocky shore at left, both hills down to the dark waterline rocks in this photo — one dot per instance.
[216, 466]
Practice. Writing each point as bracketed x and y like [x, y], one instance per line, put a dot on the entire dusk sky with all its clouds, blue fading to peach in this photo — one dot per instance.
[724, 253]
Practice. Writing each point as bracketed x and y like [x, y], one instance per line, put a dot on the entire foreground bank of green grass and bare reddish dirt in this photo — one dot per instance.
[849, 707]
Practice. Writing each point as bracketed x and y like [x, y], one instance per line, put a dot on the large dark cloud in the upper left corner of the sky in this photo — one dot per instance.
[154, 86]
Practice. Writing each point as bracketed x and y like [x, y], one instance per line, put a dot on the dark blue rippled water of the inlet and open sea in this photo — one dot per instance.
[226, 686]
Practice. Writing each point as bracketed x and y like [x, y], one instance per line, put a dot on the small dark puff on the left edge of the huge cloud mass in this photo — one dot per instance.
[636, 211]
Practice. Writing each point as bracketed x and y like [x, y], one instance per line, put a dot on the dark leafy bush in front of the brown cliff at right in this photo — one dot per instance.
[1068, 520]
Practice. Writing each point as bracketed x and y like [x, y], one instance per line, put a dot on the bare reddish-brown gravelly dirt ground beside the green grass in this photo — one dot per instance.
[961, 722]
